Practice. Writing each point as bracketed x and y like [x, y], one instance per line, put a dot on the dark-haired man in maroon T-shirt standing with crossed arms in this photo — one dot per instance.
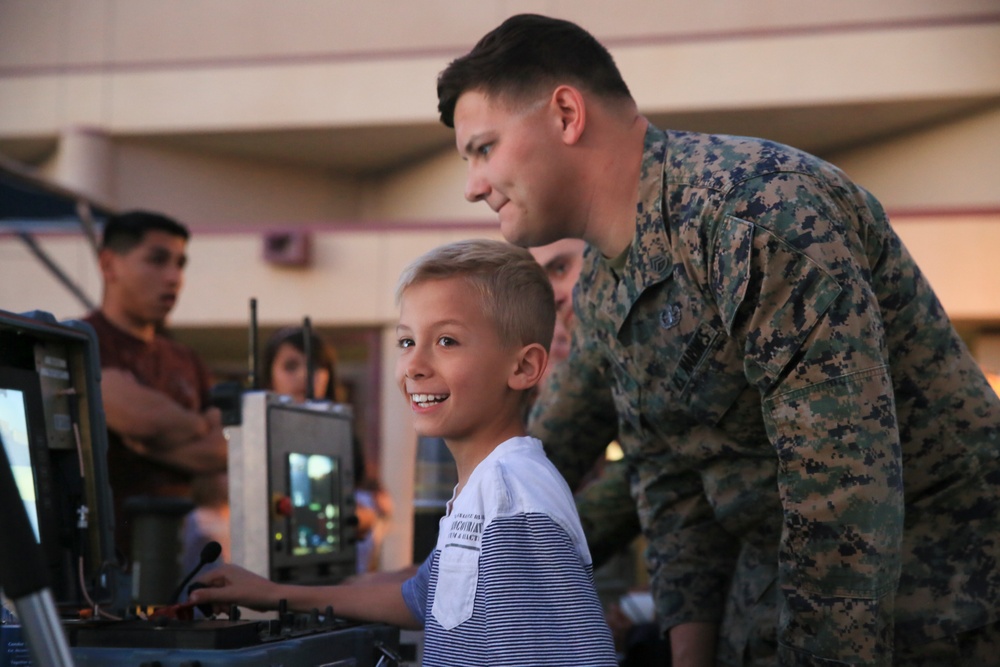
[162, 438]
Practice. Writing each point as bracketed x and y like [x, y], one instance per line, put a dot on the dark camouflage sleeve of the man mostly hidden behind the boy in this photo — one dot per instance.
[607, 512]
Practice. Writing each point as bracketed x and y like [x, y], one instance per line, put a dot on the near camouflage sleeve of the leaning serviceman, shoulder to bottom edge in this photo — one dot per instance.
[794, 284]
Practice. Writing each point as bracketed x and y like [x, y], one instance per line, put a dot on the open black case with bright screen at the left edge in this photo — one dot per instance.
[53, 429]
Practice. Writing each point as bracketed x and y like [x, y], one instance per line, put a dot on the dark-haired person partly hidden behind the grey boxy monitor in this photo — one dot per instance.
[284, 372]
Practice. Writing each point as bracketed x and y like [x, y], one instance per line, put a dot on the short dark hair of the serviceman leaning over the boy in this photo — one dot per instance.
[525, 54]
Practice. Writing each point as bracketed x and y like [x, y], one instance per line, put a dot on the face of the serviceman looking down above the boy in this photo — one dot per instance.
[515, 165]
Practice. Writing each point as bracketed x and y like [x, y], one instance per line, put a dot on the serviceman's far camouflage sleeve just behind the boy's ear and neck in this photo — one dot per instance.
[574, 415]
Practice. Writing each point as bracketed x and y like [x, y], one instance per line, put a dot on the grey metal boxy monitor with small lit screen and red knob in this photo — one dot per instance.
[291, 489]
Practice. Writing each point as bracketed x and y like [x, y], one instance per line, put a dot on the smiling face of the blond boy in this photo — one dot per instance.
[452, 368]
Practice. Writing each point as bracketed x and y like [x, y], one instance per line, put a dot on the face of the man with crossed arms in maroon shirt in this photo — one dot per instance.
[144, 282]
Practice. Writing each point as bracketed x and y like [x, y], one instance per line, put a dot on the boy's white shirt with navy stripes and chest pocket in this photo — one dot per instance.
[510, 581]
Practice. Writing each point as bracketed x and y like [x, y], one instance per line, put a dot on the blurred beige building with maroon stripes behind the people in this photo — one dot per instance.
[300, 143]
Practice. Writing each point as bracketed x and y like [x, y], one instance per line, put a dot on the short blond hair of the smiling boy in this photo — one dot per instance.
[515, 293]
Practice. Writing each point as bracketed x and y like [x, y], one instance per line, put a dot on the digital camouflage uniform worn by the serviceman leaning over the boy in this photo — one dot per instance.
[815, 449]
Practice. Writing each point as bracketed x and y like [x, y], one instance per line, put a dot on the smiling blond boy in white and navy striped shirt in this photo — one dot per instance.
[510, 581]
